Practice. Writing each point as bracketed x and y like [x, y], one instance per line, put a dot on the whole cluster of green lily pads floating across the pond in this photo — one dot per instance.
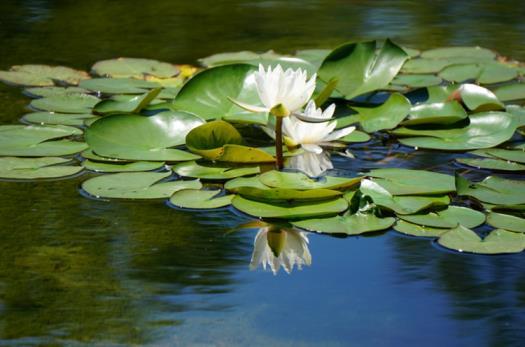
[155, 130]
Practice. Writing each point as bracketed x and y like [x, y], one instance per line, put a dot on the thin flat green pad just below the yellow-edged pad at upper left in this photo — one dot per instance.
[118, 85]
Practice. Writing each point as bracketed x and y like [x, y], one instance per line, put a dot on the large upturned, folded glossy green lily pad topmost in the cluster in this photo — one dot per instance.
[360, 69]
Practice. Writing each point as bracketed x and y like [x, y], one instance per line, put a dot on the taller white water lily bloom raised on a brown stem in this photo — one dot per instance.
[287, 90]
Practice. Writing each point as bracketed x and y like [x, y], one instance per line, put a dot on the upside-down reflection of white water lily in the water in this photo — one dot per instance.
[284, 247]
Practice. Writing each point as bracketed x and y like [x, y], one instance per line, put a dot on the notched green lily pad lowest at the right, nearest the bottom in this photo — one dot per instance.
[498, 241]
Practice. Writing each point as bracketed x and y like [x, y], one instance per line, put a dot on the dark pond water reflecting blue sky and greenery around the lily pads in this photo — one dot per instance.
[75, 271]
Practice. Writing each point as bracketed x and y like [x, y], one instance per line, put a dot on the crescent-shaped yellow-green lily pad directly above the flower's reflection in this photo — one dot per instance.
[289, 210]
